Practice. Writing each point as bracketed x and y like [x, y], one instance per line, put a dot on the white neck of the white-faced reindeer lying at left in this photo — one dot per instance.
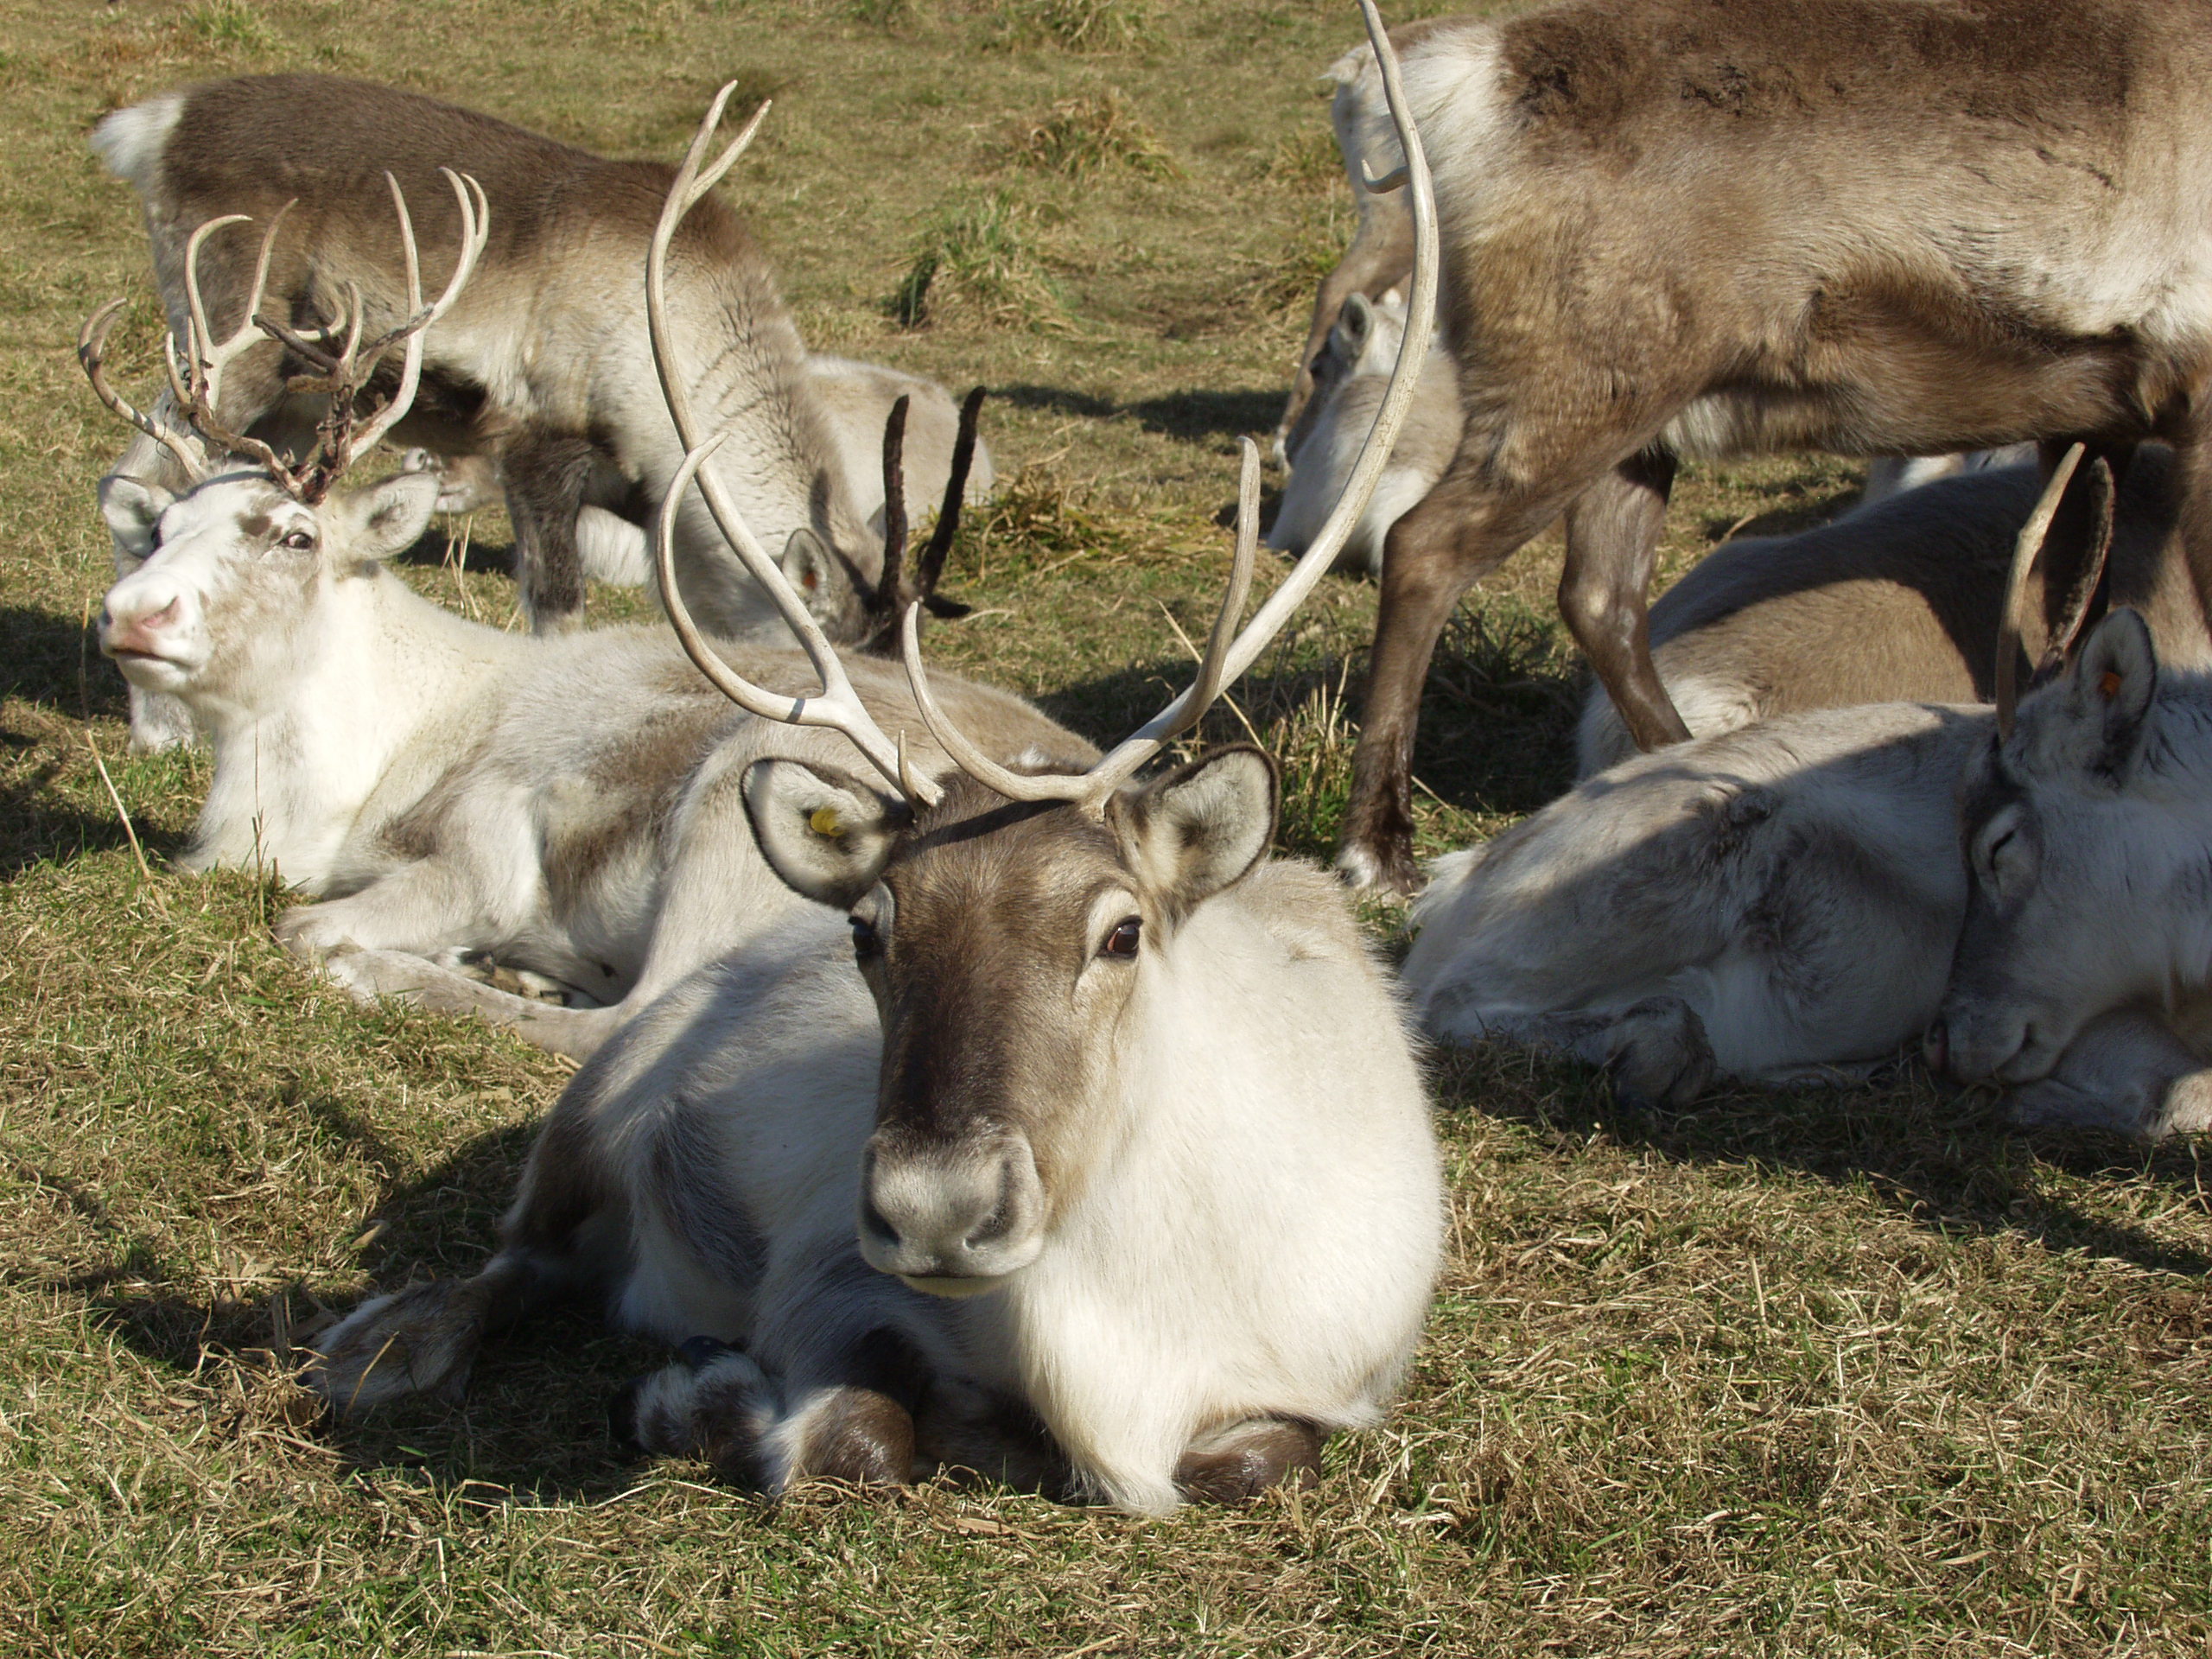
[379, 674]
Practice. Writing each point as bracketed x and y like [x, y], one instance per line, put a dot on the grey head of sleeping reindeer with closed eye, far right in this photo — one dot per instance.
[2080, 866]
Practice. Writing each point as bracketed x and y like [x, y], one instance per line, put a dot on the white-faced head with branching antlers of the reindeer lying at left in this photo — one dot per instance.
[222, 581]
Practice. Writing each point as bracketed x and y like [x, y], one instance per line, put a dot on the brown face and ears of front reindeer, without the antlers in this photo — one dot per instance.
[1008, 943]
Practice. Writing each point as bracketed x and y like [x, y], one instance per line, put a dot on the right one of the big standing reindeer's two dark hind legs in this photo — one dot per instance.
[1611, 545]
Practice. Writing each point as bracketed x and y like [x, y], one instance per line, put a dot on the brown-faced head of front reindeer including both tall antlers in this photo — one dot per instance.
[1019, 926]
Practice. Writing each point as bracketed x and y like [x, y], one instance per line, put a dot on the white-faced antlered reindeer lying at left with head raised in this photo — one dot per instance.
[439, 784]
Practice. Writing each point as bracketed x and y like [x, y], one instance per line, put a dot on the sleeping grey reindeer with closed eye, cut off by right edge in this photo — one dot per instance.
[2087, 910]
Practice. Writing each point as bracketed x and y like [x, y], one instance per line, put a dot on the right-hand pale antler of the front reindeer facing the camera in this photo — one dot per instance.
[1227, 658]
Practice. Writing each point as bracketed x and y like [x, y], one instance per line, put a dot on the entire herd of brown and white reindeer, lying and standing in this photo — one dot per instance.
[954, 1096]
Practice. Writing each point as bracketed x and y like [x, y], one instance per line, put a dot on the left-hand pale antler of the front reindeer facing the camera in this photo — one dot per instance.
[835, 707]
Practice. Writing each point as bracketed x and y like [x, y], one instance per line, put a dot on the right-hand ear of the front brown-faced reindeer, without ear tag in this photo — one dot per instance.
[1202, 826]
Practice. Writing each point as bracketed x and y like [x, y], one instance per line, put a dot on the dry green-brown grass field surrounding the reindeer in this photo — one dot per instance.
[1791, 1375]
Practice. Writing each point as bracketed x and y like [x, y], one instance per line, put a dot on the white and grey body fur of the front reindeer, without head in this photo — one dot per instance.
[1255, 1235]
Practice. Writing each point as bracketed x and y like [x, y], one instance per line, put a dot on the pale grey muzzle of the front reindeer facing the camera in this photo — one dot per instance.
[952, 1220]
